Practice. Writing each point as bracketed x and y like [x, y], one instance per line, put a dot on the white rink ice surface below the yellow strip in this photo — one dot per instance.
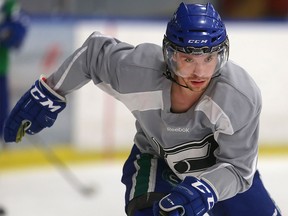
[34, 192]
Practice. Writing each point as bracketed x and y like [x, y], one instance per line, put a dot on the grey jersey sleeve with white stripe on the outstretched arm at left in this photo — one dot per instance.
[115, 67]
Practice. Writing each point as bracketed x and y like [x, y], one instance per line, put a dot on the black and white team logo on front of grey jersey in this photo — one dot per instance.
[190, 157]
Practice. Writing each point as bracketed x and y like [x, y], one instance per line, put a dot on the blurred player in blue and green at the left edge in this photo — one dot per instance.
[13, 24]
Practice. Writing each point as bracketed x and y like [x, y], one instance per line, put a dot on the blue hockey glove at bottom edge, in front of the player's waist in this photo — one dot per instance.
[190, 198]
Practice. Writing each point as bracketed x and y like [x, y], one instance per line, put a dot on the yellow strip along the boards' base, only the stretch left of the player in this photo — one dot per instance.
[35, 157]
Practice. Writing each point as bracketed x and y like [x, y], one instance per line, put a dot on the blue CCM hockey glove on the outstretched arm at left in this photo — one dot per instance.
[38, 108]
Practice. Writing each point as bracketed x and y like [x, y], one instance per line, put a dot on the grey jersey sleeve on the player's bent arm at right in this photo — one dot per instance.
[236, 131]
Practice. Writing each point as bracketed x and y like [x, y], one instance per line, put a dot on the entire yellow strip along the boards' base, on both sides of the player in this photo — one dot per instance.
[29, 157]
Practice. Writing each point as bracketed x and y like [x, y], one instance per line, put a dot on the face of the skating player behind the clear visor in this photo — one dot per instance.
[195, 71]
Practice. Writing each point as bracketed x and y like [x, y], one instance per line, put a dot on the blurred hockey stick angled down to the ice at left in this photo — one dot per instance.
[64, 170]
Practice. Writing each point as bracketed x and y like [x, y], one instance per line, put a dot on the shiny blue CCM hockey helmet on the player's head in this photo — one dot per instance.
[196, 29]
